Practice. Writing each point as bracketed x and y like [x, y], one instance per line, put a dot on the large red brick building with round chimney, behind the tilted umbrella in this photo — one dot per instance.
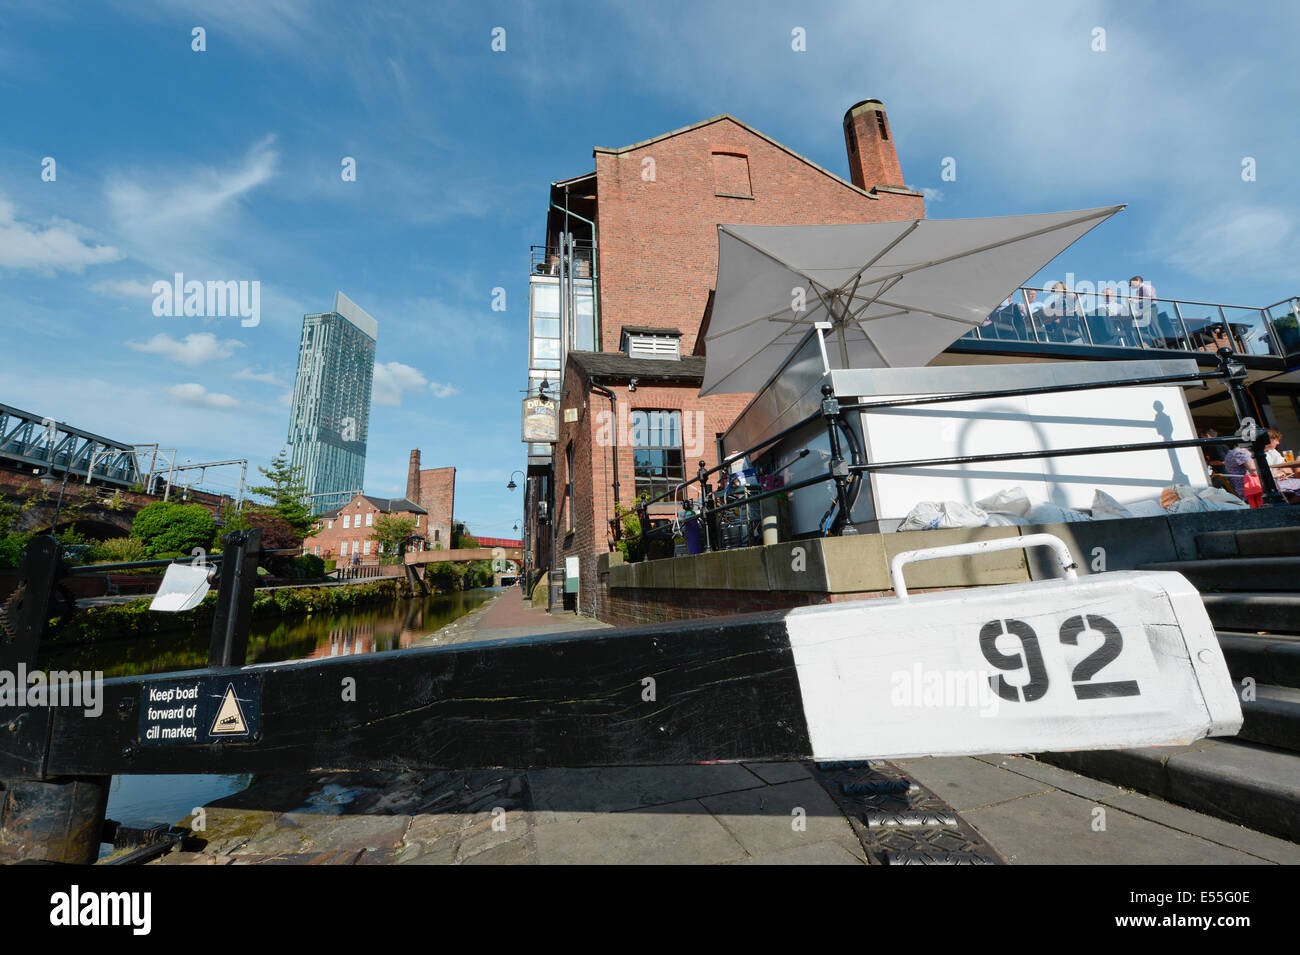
[645, 232]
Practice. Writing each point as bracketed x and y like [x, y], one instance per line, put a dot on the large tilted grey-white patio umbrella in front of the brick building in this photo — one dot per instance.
[895, 294]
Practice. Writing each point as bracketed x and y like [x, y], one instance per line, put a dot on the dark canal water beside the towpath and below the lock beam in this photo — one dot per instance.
[142, 801]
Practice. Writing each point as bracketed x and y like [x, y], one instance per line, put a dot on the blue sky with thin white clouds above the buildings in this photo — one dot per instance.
[226, 164]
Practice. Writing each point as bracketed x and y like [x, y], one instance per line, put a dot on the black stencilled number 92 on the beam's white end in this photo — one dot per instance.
[1030, 658]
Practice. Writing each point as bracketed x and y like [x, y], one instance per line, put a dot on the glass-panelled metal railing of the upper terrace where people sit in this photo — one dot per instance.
[1120, 320]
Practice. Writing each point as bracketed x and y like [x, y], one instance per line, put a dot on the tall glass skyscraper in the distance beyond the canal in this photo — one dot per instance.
[332, 402]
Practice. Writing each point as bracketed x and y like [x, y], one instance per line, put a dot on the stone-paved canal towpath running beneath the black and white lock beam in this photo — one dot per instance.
[751, 814]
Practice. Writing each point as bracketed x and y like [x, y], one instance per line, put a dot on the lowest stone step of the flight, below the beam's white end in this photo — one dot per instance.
[1245, 783]
